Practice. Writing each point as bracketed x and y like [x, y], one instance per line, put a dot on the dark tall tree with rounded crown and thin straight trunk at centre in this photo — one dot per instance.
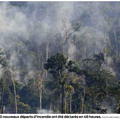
[56, 65]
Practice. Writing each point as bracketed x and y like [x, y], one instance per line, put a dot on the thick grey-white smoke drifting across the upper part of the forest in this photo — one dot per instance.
[21, 22]
